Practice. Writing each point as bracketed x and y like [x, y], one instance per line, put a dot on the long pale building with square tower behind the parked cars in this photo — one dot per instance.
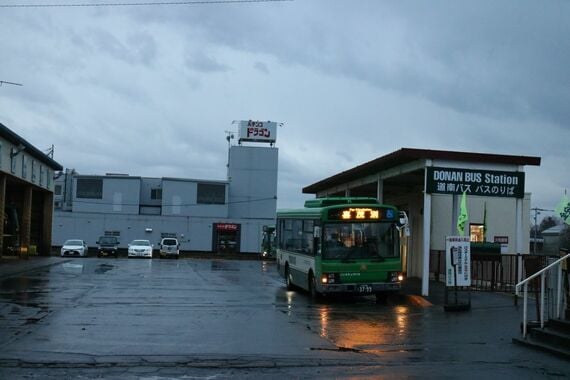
[205, 215]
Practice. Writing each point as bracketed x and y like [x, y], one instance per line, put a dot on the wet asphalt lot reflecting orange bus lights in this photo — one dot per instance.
[205, 318]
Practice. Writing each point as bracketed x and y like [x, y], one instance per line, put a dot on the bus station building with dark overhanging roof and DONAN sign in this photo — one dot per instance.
[428, 185]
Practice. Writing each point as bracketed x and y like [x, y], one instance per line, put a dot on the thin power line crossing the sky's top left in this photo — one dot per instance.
[139, 4]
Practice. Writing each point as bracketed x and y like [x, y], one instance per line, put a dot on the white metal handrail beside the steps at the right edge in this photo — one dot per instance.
[542, 273]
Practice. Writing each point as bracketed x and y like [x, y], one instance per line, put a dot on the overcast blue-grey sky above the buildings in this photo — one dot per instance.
[151, 90]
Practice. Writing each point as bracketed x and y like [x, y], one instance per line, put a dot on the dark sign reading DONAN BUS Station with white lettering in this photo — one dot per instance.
[490, 183]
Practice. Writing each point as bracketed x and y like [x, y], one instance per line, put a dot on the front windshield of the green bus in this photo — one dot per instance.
[348, 241]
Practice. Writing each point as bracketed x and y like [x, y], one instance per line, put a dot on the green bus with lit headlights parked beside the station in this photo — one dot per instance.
[341, 245]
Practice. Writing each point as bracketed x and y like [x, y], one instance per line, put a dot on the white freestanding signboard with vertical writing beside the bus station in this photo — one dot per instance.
[457, 261]
